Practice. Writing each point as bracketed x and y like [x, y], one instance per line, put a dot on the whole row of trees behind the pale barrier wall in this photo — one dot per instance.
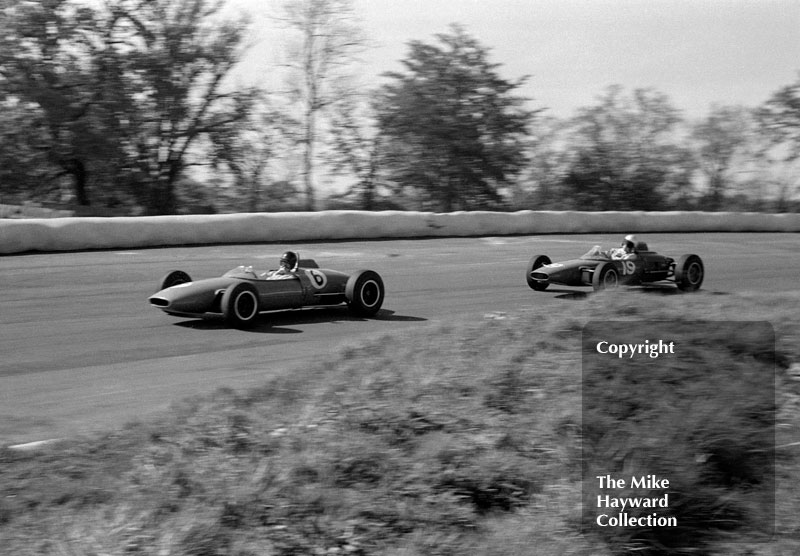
[131, 107]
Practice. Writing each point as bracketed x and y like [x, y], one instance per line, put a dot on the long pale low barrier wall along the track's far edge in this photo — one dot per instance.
[68, 234]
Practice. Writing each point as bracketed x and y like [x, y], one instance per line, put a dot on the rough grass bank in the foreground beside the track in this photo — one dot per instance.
[456, 439]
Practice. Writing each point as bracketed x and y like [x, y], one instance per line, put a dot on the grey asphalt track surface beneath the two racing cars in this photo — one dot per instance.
[82, 350]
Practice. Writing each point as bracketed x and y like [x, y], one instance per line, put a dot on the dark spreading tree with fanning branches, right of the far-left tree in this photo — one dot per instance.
[178, 55]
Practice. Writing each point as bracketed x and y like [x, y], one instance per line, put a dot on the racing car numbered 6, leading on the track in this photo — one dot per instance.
[239, 295]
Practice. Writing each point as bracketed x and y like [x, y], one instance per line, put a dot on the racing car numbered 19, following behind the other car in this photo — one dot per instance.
[597, 269]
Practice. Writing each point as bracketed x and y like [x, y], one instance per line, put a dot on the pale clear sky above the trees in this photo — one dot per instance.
[697, 52]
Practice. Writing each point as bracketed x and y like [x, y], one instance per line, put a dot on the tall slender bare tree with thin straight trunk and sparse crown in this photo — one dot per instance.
[328, 41]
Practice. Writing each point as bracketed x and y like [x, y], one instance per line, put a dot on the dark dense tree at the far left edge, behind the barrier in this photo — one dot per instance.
[53, 81]
